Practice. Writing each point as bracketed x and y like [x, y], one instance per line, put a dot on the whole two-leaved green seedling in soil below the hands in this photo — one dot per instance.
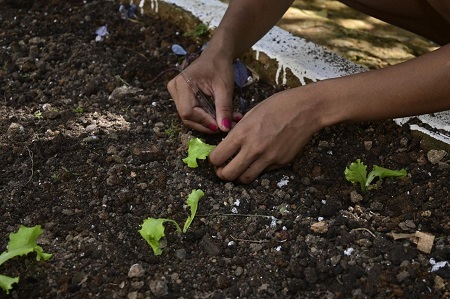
[153, 228]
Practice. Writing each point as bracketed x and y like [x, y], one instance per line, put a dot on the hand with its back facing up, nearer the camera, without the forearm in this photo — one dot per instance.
[268, 137]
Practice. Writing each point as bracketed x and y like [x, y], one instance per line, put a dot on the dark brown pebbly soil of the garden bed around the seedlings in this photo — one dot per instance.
[89, 164]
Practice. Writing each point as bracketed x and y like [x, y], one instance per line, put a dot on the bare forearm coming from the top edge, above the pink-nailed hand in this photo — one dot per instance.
[244, 23]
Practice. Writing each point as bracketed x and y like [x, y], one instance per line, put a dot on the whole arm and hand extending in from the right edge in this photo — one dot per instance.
[272, 133]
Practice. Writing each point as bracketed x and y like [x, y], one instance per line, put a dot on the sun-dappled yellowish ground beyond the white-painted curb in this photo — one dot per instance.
[354, 35]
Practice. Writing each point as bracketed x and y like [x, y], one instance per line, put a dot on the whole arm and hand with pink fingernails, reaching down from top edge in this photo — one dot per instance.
[244, 23]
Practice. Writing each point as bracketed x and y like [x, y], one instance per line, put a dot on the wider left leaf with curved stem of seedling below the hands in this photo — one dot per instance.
[153, 230]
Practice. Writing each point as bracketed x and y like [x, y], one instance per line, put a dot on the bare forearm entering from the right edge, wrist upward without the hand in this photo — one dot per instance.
[419, 86]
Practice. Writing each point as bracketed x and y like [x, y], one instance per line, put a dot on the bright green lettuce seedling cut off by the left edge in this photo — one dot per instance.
[21, 243]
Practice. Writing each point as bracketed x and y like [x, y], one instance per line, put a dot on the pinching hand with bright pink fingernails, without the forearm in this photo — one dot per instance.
[213, 77]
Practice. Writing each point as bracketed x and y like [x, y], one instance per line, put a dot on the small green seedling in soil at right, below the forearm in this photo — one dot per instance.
[357, 173]
